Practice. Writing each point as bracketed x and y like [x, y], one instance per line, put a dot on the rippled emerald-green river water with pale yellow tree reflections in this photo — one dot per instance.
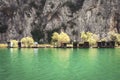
[59, 64]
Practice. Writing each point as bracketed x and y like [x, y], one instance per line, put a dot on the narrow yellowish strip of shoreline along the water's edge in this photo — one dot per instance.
[52, 46]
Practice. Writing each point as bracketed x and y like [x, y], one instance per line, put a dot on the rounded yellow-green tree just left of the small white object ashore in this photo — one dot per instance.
[27, 41]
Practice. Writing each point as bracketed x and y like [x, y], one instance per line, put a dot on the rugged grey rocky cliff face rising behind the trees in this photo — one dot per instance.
[40, 18]
